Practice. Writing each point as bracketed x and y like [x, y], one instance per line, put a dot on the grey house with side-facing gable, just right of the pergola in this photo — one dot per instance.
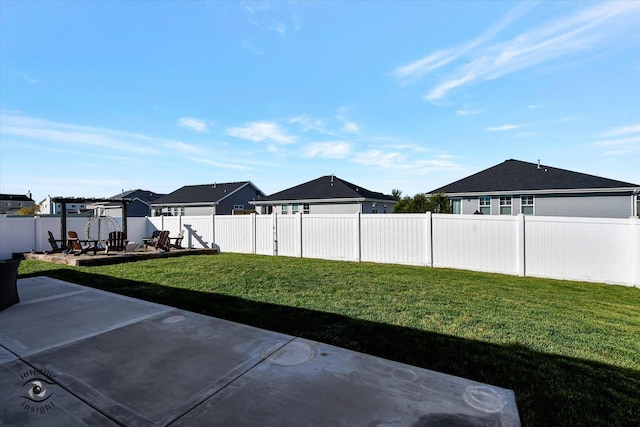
[220, 199]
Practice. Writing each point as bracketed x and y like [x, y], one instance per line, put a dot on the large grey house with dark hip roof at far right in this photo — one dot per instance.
[514, 187]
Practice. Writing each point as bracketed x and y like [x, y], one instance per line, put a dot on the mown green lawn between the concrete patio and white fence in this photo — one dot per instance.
[569, 350]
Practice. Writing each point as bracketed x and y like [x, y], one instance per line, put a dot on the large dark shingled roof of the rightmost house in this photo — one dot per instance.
[515, 175]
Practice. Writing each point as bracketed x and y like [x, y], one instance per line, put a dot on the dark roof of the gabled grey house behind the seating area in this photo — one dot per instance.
[203, 194]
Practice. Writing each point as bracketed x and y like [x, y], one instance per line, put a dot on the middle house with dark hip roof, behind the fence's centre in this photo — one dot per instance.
[326, 195]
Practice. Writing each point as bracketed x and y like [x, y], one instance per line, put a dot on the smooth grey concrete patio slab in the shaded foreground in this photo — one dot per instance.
[72, 355]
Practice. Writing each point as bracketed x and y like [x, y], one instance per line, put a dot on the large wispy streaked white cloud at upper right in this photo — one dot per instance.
[589, 30]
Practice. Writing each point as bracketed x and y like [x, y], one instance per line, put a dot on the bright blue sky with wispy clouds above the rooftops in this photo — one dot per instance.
[96, 97]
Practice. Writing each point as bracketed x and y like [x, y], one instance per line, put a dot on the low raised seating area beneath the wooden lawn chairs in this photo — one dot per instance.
[101, 258]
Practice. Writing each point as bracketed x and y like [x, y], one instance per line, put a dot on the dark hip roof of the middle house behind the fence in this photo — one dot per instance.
[328, 187]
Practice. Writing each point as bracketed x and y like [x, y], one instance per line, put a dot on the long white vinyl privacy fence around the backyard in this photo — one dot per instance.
[589, 249]
